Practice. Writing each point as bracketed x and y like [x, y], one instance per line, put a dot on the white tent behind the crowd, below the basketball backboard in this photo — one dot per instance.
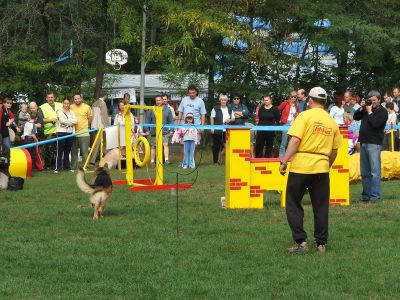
[117, 85]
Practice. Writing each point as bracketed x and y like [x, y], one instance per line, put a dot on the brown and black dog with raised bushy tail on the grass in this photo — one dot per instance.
[100, 190]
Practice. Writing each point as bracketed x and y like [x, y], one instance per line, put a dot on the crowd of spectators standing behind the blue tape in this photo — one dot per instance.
[32, 123]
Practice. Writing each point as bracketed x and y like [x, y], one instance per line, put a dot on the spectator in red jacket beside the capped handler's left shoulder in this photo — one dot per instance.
[289, 109]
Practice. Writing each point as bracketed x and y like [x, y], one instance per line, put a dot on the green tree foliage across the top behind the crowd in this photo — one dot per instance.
[242, 43]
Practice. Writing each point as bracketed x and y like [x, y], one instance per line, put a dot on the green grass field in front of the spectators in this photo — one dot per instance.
[50, 247]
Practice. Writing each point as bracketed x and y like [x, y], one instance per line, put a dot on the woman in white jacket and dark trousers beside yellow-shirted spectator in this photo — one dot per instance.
[65, 126]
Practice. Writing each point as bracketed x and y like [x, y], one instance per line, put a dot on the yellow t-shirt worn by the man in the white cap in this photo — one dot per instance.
[319, 134]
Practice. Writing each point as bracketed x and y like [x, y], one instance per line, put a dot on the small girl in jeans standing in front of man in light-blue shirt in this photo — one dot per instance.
[189, 138]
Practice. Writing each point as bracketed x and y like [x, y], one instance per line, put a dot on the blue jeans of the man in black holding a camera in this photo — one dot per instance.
[370, 163]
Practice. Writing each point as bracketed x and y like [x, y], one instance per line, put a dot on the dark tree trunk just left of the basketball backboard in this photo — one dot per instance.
[101, 57]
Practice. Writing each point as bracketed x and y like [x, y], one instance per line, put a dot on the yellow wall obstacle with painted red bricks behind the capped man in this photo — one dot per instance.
[246, 178]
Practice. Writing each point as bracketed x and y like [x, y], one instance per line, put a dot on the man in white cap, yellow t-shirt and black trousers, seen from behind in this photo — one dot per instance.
[315, 138]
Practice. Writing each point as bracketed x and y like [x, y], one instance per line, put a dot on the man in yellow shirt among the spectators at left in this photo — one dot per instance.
[83, 114]
